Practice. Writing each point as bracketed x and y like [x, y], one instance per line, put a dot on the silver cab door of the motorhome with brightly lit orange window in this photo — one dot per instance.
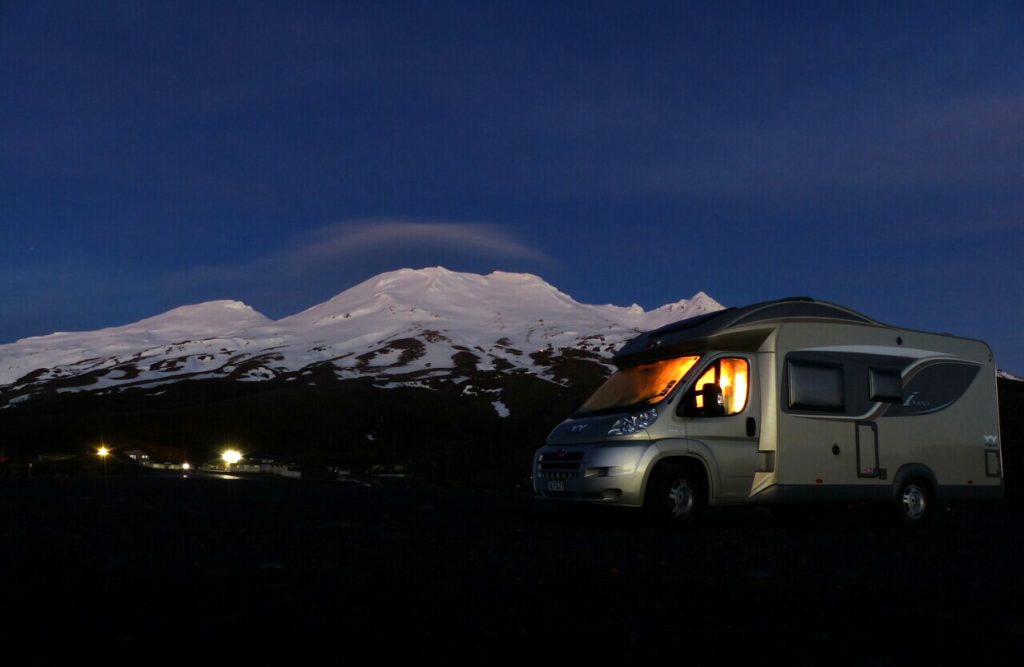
[720, 414]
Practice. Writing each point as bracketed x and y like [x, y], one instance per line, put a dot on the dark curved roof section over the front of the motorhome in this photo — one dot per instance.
[691, 335]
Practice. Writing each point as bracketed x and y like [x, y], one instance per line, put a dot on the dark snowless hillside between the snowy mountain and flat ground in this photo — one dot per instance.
[452, 433]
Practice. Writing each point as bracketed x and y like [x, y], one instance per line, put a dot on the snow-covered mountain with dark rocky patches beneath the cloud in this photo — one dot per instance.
[409, 327]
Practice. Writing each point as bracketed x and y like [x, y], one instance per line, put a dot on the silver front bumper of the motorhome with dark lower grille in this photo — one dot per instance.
[609, 473]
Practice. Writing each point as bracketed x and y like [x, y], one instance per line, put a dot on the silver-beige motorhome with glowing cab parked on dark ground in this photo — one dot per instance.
[783, 402]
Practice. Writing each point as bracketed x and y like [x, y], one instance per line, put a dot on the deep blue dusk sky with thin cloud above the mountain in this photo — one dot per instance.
[160, 154]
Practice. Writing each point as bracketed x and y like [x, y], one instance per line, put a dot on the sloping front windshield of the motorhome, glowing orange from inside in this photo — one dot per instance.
[644, 385]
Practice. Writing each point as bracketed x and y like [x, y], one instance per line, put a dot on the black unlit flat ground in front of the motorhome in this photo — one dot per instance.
[131, 570]
